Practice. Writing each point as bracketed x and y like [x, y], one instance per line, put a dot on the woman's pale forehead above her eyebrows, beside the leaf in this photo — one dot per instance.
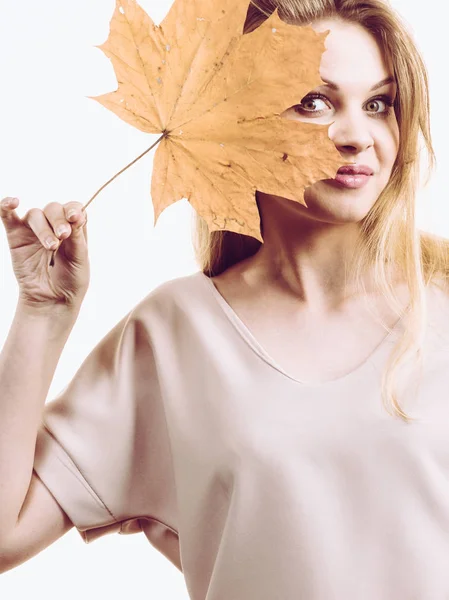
[353, 56]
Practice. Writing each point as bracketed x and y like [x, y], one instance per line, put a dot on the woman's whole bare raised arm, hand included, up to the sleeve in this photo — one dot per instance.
[49, 302]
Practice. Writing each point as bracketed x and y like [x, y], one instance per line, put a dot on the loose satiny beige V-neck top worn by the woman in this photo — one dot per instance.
[255, 485]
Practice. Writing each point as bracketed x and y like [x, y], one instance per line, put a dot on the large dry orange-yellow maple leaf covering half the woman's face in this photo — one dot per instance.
[216, 96]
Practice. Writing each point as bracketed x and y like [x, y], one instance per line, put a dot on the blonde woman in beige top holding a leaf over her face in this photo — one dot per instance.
[234, 416]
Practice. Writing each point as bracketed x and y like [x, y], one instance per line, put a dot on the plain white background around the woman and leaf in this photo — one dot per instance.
[57, 145]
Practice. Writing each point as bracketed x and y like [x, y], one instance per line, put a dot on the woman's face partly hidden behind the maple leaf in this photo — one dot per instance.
[363, 126]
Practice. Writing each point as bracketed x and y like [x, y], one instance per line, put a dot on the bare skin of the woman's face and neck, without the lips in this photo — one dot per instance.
[304, 252]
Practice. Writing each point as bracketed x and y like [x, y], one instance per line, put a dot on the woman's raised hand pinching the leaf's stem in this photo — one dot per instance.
[41, 286]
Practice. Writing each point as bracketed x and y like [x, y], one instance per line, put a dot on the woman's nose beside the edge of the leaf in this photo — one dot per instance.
[350, 133]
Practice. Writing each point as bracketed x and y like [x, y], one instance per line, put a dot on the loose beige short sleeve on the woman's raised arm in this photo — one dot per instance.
[103, 448]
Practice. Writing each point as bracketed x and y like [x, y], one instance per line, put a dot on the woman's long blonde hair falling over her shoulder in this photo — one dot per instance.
[389, 234]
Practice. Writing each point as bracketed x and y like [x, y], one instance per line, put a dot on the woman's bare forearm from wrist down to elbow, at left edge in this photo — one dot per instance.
[28, 362]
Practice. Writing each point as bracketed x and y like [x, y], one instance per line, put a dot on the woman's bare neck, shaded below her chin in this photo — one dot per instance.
[306, 257]
